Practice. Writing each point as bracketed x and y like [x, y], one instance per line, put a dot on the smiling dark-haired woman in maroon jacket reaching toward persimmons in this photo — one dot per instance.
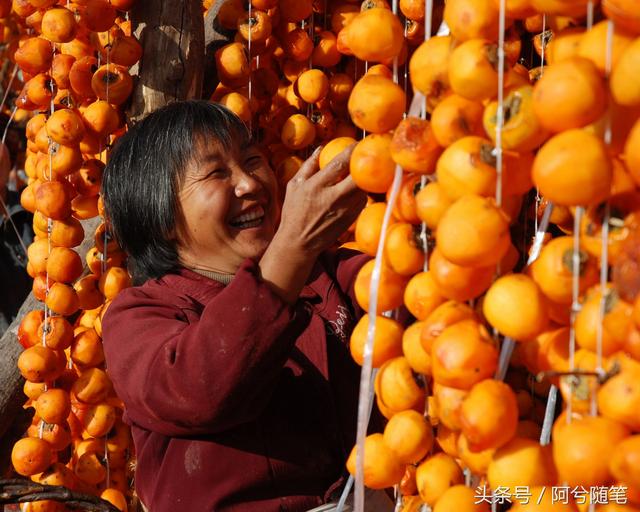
[240, 394]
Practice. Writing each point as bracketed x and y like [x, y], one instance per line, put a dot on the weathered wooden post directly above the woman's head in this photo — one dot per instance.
[171, 69]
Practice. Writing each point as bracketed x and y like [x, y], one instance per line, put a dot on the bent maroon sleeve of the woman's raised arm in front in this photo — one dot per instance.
[179, 378]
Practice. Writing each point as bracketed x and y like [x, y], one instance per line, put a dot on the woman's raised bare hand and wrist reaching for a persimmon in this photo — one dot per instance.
[319, 206]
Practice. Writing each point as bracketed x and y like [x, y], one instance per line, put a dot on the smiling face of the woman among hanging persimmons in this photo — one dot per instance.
[229, 207]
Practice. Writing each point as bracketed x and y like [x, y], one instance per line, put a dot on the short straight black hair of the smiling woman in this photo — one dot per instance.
[142, 180]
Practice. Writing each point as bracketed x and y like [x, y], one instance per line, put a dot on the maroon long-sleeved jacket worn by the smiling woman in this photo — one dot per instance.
[237, 401]
